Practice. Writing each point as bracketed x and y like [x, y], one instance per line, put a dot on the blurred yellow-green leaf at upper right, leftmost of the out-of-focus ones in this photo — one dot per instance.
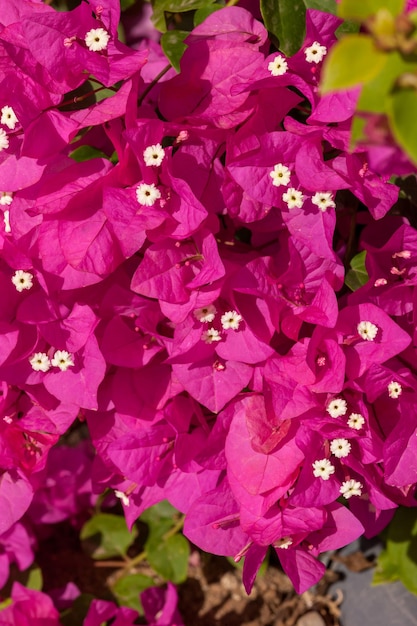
[352, 61]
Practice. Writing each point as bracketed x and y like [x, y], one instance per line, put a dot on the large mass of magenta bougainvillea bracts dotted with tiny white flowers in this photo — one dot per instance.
[182, 291]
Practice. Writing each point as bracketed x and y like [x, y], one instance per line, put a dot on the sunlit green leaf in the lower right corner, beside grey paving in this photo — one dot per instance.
[399, 559]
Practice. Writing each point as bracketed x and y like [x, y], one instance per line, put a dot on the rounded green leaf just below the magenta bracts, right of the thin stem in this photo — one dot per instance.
[168, 558]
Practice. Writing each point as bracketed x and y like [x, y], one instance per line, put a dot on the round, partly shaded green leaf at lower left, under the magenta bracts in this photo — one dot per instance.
[106, 535]
